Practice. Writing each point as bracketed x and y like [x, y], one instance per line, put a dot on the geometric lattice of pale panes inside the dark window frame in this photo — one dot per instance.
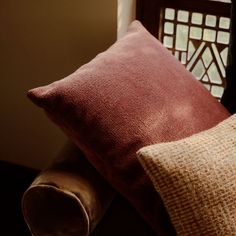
[200, 41]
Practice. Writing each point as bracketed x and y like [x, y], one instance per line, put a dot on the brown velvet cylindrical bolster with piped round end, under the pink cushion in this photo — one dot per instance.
[67, 198]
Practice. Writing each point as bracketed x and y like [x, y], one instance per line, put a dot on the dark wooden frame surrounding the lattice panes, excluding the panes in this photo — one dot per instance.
[149, 12]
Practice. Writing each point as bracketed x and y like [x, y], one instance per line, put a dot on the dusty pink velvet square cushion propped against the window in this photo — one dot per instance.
[132, 95]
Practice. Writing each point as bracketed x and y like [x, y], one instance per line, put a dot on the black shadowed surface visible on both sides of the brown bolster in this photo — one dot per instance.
[120, 219]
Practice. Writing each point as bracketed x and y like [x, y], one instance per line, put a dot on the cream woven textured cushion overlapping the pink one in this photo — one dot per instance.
[196, 178]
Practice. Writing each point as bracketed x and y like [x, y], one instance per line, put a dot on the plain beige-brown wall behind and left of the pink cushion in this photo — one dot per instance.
[42, 41]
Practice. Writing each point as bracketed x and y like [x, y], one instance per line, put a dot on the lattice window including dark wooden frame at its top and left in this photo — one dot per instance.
[195, 32]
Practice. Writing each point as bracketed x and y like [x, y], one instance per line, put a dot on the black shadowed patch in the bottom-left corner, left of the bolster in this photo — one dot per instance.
[14, 180]
